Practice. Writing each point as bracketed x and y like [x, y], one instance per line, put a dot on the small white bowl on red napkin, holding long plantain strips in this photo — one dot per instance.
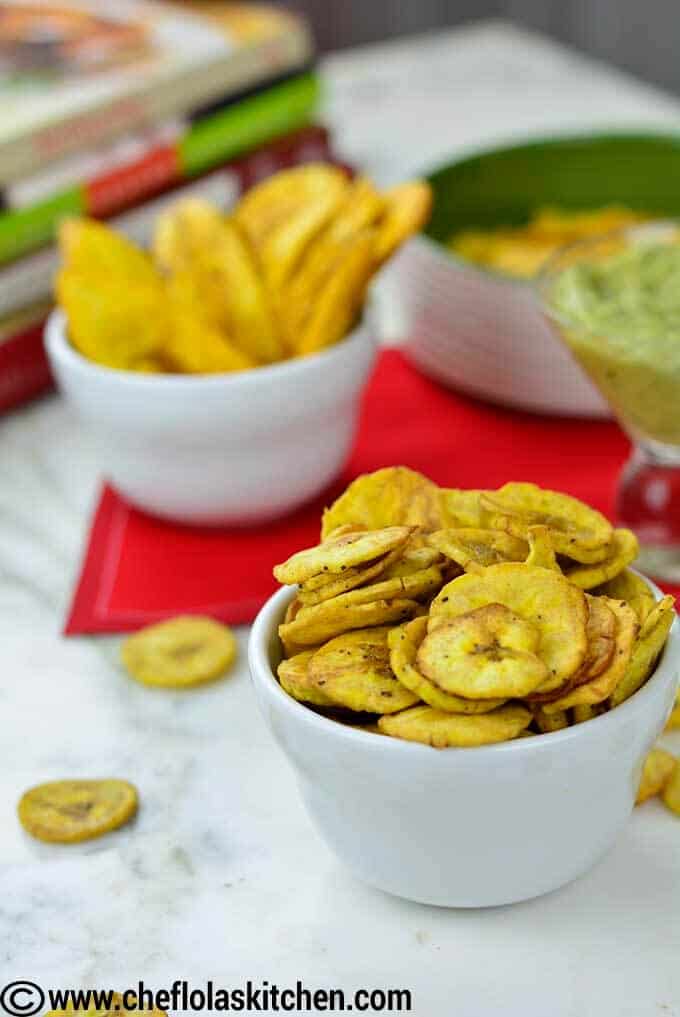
[225, 449]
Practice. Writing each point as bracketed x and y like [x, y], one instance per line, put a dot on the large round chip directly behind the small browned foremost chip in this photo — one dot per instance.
[542, 597]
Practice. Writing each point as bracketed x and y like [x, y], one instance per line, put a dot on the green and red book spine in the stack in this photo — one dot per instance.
[214, 140]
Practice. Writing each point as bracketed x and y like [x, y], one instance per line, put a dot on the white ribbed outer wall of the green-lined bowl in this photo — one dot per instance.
[484, 335]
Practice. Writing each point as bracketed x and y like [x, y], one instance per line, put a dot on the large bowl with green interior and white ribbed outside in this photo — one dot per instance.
[484, 334]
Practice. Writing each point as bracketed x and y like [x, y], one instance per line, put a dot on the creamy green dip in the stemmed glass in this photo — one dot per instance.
[622, 318]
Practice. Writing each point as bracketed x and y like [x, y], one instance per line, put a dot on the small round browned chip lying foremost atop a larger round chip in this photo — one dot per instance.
[489, 653]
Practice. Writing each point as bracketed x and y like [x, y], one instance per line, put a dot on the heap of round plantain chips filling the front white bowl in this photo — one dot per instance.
[460, 618]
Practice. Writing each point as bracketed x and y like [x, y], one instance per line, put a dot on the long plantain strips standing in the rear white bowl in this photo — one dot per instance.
[285, 275]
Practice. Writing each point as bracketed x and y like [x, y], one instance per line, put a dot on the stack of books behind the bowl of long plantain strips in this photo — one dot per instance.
[115, 108]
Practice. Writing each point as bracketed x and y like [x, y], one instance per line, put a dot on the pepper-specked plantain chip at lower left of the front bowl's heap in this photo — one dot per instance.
[354, 672]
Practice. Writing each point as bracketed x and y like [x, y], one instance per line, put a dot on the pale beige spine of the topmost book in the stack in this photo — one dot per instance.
[291, 46]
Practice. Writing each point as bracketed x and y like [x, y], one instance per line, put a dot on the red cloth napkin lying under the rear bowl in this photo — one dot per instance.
[140, 570]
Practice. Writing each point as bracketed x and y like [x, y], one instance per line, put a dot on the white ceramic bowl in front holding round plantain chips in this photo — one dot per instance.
[465, 827]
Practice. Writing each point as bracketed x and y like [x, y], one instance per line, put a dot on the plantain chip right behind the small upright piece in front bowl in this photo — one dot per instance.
[577, 530]
